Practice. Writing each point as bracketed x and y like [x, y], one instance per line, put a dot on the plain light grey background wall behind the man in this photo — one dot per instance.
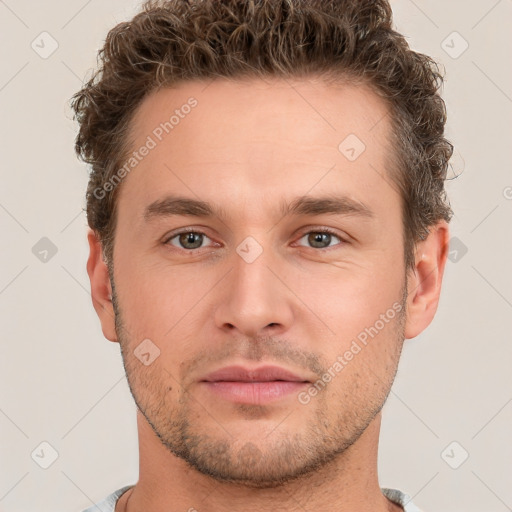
[63, 383]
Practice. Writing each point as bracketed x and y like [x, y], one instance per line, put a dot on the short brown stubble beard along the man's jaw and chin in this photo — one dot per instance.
[269, 461]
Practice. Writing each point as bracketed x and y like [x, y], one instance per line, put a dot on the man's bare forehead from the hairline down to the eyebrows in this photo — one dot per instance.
[257, 139]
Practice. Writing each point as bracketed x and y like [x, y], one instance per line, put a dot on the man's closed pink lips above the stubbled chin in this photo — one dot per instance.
[253, 386]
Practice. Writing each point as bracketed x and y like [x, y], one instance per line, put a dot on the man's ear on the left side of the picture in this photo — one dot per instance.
[101, 289]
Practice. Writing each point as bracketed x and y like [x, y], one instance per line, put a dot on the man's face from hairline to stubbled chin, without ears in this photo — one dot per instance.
[264, 263]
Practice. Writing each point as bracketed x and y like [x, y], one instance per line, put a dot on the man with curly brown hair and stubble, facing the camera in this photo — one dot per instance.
[268, 224]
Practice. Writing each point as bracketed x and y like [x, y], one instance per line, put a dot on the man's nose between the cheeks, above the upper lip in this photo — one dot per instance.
[255, 300]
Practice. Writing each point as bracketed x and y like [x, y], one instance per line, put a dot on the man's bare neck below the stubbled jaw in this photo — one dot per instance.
[348, 483]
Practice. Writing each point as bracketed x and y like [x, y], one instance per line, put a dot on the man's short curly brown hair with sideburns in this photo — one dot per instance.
[181, 40]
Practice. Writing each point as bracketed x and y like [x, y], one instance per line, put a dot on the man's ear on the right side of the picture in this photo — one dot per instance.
[424, 282]
